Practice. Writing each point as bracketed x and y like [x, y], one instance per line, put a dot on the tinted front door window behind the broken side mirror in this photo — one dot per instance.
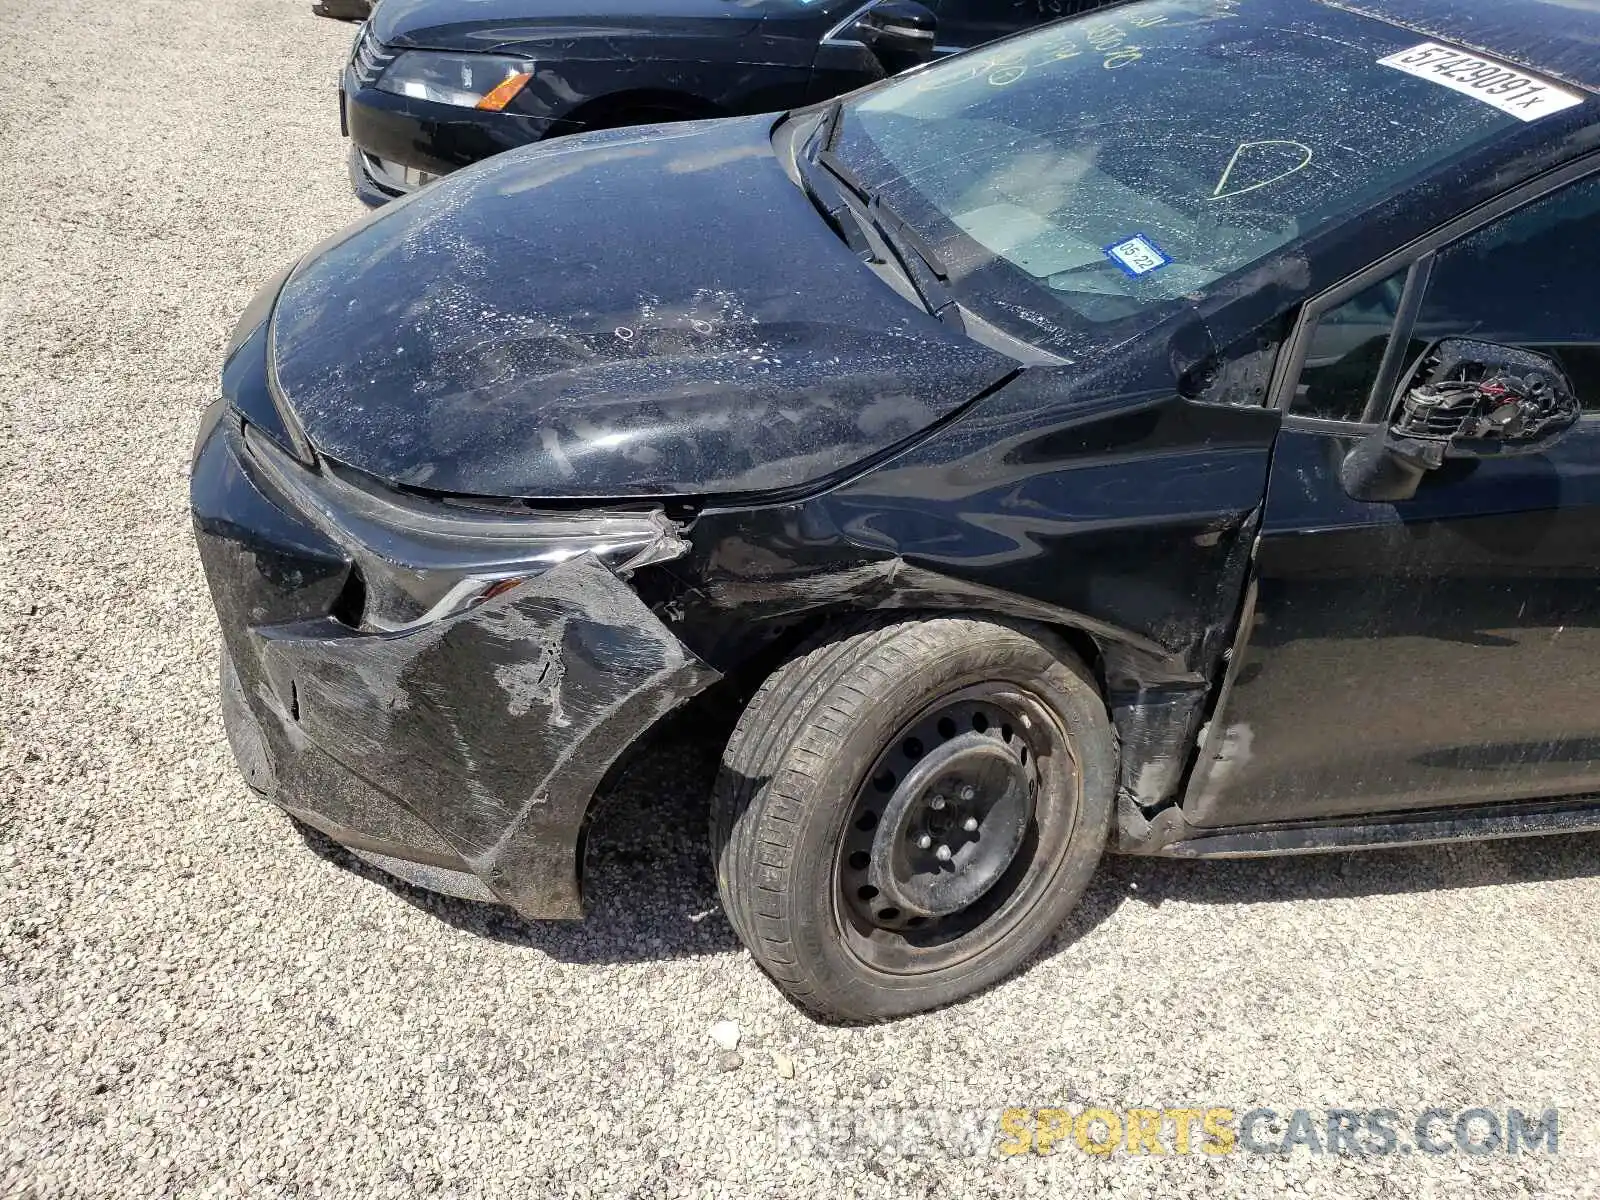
[1532, 281]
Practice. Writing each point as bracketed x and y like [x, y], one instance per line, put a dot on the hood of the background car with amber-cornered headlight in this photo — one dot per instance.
[486, 25]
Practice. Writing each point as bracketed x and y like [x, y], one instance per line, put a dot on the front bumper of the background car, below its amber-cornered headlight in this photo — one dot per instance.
[393, 137]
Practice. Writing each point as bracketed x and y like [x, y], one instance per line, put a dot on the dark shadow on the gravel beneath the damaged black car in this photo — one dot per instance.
[652, 892]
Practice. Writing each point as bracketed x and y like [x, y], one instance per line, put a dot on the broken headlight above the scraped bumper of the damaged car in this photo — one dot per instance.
[422, 561]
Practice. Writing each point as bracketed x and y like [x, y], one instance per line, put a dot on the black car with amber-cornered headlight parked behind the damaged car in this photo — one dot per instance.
[439, 84]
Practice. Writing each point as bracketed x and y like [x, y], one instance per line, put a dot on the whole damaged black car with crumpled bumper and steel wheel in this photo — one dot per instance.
[1167, 433]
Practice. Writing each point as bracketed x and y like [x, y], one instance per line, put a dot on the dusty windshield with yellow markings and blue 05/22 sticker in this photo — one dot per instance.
[1121, 162]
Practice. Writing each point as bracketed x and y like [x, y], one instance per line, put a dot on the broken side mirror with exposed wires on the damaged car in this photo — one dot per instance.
[1465, 401]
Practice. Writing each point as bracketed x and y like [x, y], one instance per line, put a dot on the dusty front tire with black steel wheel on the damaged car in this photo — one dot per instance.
[908, 812]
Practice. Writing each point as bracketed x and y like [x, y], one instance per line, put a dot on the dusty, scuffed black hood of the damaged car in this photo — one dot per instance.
[636, 313]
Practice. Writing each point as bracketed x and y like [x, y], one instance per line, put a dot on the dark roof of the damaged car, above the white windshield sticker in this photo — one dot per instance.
[1554, 38]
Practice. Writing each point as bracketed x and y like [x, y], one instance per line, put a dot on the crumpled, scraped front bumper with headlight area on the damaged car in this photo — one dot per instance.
[457, 743]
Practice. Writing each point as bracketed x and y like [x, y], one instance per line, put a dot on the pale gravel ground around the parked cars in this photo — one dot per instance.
[198, 1002]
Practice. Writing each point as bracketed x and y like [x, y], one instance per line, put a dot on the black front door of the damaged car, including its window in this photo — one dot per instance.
[1442, 650]
